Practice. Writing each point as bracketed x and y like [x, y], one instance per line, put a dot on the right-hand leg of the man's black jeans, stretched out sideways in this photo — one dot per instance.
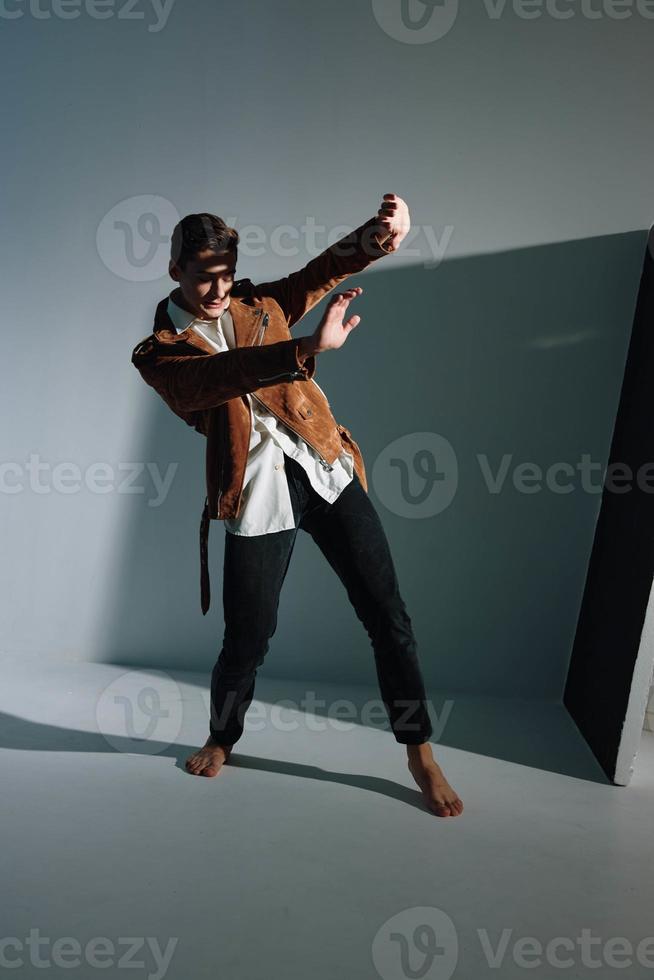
[351, 536]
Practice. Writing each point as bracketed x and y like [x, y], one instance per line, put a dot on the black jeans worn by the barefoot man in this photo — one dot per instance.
[351, 536]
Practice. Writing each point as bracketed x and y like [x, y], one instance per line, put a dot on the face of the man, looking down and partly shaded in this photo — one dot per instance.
[205, 282]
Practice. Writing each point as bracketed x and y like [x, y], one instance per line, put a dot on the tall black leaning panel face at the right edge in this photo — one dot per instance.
[622, 560]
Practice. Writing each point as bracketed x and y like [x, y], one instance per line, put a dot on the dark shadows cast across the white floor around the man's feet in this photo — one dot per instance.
[537, 734]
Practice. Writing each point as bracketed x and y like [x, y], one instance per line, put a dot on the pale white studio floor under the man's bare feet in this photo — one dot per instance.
[311, 856]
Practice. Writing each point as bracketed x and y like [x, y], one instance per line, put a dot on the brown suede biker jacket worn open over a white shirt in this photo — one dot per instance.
[207, 389]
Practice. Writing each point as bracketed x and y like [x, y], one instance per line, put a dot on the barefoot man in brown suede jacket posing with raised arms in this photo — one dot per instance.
[223, 359]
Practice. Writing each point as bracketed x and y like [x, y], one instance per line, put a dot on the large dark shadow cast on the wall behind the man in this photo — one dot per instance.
[512, 358]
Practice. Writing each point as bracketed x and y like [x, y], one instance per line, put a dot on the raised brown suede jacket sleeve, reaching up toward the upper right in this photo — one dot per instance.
[299, 292]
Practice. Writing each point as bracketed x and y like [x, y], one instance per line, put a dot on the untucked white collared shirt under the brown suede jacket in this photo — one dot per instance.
[266, 501]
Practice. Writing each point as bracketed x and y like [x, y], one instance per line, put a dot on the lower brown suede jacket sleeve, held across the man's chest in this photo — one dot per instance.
[195, 382]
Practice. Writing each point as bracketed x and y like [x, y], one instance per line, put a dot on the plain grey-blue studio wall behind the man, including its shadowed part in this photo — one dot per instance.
[523, 147]
